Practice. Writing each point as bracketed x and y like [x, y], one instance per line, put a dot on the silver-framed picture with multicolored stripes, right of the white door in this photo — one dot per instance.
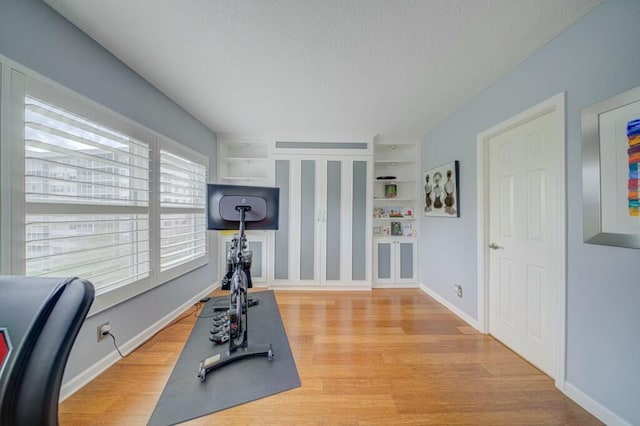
[609, 162]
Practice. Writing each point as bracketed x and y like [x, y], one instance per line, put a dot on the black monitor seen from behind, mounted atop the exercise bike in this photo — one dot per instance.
[222, 201]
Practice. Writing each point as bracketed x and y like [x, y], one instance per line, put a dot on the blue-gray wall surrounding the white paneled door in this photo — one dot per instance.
[594, 59]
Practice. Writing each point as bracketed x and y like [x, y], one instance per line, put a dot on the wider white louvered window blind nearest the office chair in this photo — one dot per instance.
[86, 198]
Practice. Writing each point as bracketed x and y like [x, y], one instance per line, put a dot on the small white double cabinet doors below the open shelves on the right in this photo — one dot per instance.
[395, 262]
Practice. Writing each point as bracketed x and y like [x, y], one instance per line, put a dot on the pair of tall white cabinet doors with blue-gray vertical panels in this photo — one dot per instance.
[324, 232]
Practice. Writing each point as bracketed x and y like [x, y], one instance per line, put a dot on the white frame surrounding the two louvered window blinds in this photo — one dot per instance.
[16, 82]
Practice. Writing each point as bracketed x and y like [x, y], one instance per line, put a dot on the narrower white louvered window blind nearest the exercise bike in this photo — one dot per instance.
[183, 236]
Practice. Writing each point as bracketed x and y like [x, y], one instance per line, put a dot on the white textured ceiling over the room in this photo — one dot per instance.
[328, 68]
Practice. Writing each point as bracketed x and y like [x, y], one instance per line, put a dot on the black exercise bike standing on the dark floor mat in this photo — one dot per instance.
[239, 347]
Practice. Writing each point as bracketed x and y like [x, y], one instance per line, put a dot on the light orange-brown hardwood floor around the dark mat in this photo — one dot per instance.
[382, 357]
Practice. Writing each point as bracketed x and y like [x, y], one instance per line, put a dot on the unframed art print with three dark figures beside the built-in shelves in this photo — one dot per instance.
[441, 191]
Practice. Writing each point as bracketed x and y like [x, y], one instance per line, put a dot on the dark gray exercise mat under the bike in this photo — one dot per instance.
[185, 397]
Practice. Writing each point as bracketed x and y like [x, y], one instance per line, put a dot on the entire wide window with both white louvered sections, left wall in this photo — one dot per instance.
[94, 195]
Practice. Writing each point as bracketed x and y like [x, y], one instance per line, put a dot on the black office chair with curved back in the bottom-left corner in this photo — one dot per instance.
[39, 321]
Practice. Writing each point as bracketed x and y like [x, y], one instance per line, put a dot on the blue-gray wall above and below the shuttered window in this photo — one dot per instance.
[34, 35]
